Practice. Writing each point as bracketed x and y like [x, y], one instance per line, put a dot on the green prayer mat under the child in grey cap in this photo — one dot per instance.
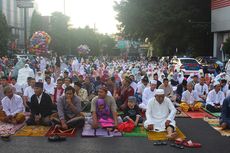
[137, 132]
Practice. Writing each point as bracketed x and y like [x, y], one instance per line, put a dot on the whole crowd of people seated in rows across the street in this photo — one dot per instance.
[57, 91]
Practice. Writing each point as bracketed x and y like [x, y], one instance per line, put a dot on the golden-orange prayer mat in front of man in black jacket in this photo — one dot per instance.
[34, 131]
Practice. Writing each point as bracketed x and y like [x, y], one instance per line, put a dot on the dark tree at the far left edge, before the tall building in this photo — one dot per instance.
[4, 34]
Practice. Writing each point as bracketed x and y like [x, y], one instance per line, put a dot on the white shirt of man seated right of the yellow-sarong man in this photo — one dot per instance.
[215, 98]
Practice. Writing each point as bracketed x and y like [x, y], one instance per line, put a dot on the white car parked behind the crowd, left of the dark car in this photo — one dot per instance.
[187, 66]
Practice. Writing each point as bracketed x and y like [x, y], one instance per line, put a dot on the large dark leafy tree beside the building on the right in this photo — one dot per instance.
[169, 24]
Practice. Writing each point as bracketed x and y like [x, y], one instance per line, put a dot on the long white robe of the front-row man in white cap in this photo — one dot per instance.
[157, 114]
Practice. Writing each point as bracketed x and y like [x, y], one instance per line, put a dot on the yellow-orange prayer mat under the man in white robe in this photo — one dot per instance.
[162, 135]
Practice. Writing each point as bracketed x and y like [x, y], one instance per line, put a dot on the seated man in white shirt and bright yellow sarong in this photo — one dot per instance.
[189, 100]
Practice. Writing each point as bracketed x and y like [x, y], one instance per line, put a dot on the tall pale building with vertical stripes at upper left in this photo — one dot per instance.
[15, 20]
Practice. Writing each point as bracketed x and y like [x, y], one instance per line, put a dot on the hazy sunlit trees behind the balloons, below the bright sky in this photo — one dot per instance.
[66, 39]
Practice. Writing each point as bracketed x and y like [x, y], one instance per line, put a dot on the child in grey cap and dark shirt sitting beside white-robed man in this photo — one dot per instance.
[132, 112]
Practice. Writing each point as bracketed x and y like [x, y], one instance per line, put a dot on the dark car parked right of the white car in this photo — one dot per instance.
[210, 64]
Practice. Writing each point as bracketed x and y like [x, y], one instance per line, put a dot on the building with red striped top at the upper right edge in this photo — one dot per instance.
[220, 25]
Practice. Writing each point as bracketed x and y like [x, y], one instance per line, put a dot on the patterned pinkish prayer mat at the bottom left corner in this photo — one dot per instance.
[9, 129]
